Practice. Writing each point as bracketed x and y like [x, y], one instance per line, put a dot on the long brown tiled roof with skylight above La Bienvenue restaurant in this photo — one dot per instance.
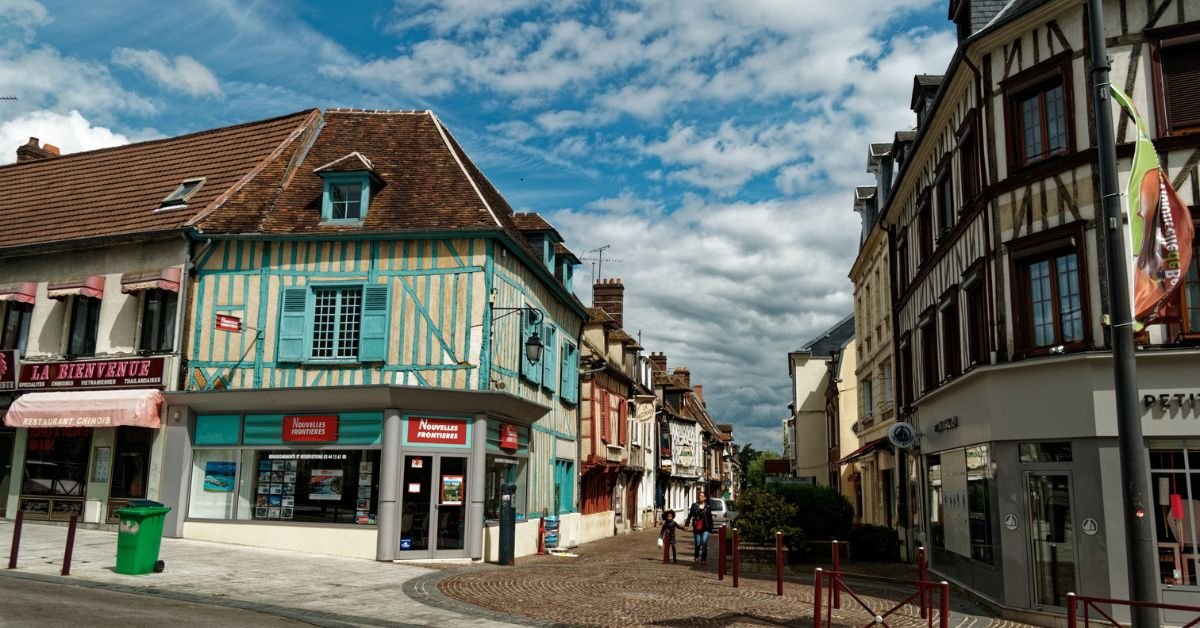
[117, 192]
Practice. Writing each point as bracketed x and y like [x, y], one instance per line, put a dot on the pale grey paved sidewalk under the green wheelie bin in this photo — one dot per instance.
[321, 590]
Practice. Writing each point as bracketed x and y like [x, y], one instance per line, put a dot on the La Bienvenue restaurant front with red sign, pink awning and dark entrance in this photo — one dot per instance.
[82, 439]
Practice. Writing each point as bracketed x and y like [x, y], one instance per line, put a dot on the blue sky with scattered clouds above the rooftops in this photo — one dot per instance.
[715, 146]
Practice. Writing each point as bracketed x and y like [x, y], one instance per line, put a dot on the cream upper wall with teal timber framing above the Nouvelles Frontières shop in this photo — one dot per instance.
[439, 328]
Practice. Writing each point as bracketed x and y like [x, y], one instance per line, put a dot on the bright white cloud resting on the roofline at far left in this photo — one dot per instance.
[70, 133]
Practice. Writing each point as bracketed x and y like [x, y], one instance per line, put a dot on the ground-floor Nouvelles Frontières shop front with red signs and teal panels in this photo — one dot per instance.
[379, 473]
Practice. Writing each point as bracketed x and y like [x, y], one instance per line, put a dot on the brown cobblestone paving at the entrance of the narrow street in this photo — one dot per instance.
[622, 582]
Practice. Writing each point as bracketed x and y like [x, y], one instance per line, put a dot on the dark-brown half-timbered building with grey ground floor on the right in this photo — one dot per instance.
[1001, 312]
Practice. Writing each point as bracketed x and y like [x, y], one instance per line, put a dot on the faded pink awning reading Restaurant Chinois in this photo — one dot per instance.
[86, 409]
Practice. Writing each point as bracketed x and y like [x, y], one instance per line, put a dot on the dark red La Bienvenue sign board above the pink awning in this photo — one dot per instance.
[121, 373]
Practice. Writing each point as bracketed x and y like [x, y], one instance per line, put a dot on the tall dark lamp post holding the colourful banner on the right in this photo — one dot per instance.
[1135, 479]
